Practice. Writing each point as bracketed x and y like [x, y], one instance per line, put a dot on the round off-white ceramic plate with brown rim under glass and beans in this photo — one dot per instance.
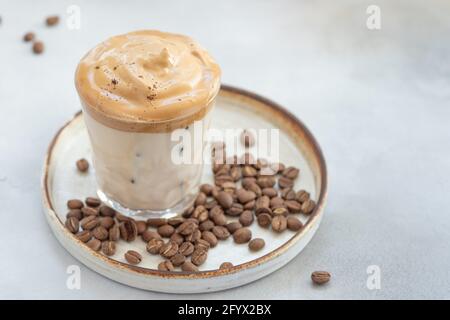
[235, 108]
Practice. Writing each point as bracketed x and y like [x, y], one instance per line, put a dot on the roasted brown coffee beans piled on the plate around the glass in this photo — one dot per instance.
[245, 191]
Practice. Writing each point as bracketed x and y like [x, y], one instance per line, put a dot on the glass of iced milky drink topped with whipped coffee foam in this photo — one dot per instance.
[136, 89]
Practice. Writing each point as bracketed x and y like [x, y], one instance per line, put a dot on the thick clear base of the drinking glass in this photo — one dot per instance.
[175, 211]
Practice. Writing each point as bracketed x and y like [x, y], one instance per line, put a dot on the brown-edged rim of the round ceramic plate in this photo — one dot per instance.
[293, 122]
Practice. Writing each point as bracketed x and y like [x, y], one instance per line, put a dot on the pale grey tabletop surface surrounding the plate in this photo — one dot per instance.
[377, 101]
